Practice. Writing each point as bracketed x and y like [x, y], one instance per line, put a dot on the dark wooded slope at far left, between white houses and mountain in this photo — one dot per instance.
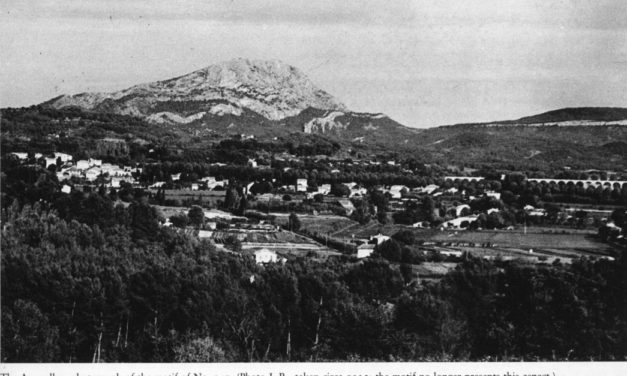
[82, 134]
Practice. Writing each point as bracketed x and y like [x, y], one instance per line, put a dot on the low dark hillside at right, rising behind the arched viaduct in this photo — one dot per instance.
[574, 137]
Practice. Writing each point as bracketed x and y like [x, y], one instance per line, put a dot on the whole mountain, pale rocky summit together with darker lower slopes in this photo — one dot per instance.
[266, 98]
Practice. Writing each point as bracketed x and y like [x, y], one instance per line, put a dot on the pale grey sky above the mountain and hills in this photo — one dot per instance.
[423, 63]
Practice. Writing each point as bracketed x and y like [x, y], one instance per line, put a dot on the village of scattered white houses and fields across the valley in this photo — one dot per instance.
[445, 218]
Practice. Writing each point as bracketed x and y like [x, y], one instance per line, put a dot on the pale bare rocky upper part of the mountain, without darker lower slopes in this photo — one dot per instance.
[271, 88]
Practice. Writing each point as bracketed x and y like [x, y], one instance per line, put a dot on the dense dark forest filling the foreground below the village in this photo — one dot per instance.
[74, 291]
